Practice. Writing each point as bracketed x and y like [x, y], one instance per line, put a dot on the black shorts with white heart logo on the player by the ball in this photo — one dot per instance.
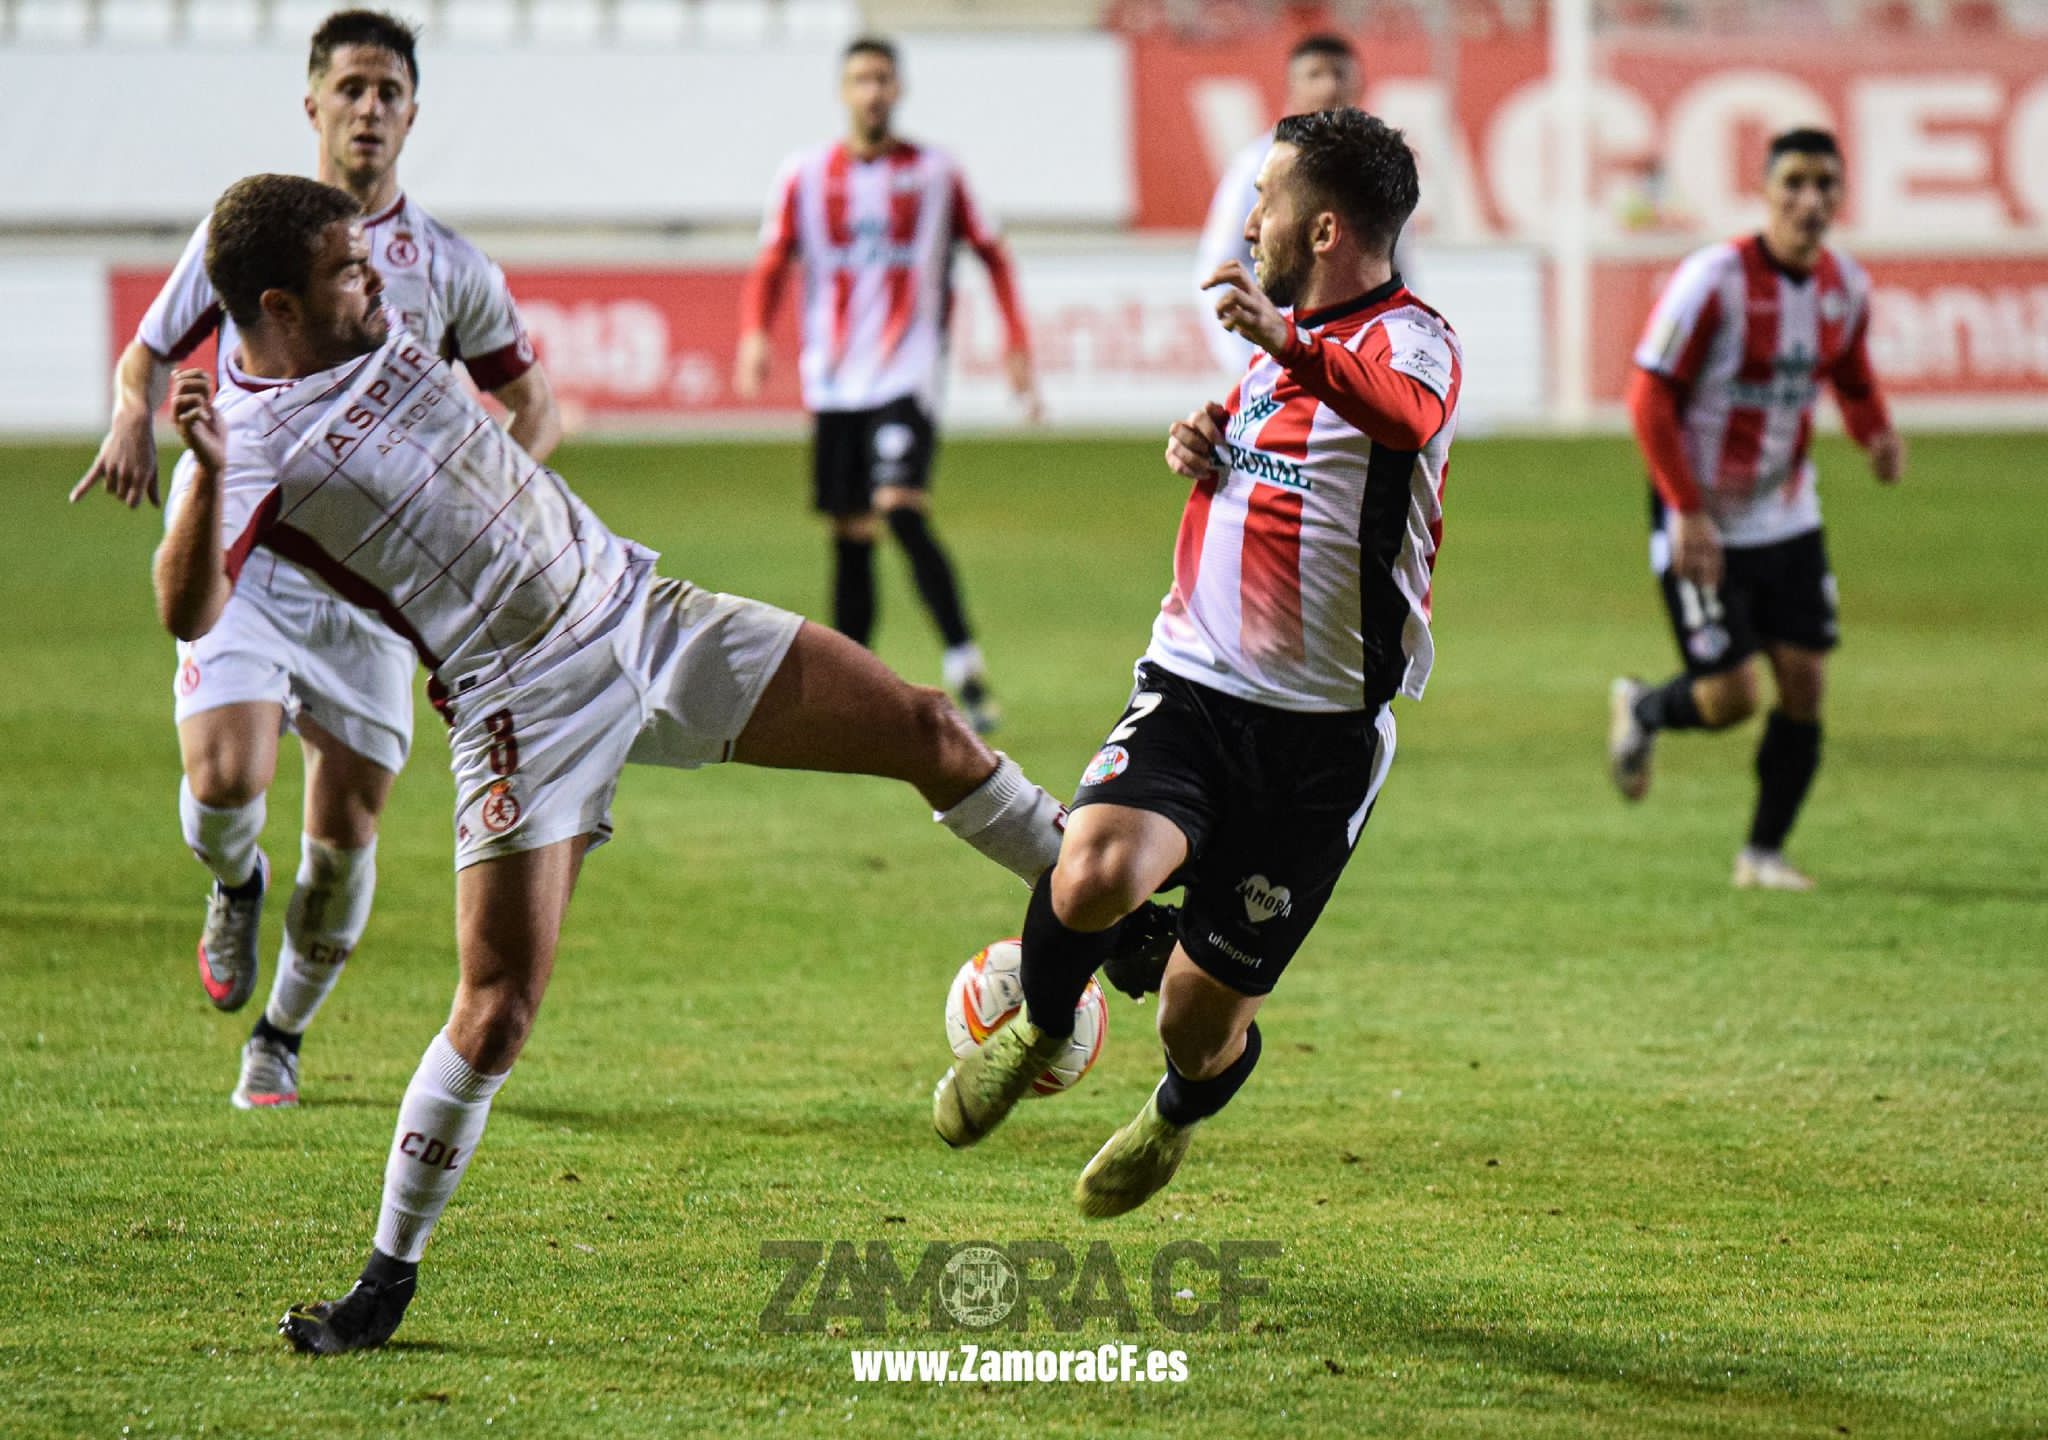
[1273, 804]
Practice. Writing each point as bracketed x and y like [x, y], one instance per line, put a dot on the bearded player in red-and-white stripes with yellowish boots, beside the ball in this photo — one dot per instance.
[1261, 732]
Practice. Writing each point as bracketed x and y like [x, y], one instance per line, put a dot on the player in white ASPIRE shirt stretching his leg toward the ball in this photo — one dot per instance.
[558, 650]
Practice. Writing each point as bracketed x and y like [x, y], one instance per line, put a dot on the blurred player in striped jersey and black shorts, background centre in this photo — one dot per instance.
[873, 222]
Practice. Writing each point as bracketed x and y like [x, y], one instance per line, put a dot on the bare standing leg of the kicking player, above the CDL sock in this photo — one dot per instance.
[509, 921]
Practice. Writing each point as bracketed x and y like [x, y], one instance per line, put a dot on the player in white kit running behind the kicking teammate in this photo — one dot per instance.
[288, 650]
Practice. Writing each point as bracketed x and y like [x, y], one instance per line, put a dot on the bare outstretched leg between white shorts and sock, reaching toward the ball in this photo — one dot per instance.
[833, 706]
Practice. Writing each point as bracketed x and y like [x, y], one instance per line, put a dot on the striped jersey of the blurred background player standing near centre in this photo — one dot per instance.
[876, 241]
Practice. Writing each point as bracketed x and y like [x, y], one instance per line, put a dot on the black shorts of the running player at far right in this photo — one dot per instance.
[1768, 595]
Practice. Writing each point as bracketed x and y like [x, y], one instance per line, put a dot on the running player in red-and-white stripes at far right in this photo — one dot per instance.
[1723, 400]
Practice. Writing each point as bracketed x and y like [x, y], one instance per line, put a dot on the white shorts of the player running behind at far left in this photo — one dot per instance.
[296, 644]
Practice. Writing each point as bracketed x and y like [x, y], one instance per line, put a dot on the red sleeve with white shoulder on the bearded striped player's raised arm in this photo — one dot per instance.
[1398, 388]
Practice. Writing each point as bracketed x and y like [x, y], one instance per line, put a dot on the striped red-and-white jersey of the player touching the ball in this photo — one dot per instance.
[1302, 575]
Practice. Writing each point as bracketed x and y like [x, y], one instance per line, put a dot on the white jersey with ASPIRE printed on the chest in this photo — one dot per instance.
[390, 482]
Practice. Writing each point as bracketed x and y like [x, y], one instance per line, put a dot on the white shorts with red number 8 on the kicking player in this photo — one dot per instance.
[673, 683]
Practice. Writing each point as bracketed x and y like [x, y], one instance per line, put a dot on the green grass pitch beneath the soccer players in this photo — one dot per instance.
[1560, 1134]
